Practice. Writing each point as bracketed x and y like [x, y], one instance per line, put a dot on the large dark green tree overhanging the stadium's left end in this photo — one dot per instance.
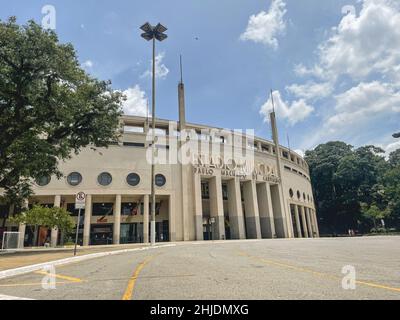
[49, 107]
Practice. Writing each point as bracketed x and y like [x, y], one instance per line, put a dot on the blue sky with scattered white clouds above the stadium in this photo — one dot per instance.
[334, 69]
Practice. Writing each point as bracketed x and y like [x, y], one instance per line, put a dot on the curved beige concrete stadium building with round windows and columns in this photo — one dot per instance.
[211, 184]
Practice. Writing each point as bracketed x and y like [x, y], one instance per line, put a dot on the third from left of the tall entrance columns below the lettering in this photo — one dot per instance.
[251, 210]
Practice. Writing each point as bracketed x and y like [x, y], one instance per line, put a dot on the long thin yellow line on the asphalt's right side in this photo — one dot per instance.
[316, 273]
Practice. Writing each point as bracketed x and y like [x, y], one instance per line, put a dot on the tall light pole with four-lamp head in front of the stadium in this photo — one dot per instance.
[153, 33]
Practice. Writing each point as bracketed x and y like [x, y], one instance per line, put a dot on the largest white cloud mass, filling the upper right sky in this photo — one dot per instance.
[360, 48]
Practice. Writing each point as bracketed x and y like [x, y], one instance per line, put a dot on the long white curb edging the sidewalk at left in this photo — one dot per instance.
[28, 269]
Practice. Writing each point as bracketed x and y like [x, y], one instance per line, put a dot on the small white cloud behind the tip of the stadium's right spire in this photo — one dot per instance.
[295, 112]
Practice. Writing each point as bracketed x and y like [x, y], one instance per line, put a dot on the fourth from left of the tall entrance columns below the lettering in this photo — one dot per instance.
[265, 209]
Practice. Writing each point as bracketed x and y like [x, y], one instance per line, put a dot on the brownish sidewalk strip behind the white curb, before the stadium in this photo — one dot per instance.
[27, 257]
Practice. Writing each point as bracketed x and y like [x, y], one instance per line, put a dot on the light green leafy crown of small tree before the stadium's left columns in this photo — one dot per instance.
[46, 217]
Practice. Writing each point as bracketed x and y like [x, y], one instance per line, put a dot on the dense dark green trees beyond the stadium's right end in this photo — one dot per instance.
[354, 188]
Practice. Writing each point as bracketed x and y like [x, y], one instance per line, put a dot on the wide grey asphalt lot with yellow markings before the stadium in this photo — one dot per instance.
[337, 268]
